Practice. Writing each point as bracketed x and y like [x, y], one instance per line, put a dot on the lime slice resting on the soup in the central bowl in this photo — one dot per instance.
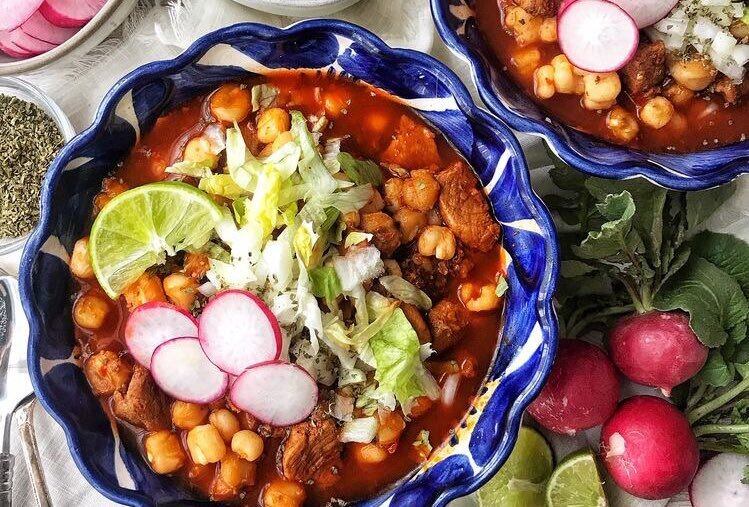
[138, 228]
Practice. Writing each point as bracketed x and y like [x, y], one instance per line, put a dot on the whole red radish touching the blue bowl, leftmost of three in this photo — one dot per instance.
[582, 390]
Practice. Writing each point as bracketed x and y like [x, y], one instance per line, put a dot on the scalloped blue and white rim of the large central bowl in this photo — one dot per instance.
[528, 343]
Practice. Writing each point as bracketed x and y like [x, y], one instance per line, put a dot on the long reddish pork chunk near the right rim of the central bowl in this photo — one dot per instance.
[464, 208]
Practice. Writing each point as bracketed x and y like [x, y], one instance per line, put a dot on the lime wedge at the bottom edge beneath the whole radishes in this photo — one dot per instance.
[576, 483]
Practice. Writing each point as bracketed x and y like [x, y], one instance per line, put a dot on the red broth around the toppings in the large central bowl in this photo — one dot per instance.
[370, 118]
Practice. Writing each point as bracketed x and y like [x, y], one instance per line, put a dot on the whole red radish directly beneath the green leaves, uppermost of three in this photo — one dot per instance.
[657, 349]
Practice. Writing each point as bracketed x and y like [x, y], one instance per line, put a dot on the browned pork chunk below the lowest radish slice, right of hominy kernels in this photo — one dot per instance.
[312, 449]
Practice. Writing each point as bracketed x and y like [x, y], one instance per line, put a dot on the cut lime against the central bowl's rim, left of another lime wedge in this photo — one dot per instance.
[521, 480]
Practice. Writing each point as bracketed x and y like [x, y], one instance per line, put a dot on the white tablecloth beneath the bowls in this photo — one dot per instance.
[79, 85]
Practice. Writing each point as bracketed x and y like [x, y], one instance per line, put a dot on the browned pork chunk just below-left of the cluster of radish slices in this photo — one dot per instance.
[143, 404]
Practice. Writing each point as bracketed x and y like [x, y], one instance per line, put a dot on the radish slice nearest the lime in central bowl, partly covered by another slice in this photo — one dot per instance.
[154, 323]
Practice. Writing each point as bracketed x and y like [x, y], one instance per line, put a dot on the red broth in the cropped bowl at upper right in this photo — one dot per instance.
[705, 122]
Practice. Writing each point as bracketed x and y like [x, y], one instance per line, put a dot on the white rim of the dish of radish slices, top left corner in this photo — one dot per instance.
[108, 18]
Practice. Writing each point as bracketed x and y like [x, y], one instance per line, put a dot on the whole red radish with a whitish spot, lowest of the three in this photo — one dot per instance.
[649, 448]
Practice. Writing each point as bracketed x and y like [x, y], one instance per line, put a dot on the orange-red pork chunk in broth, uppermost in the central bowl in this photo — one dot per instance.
[413, 146]
